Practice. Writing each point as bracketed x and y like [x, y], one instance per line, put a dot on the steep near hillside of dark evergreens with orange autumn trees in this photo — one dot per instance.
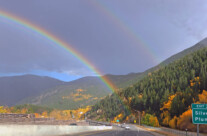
[165, 94]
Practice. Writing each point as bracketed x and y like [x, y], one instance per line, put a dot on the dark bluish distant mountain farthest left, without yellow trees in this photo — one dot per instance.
[15, 88]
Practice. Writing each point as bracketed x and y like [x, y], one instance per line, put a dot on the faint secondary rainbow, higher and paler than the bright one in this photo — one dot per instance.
[120, 23]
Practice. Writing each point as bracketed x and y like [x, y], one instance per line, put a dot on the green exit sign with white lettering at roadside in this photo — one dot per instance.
[199, 113]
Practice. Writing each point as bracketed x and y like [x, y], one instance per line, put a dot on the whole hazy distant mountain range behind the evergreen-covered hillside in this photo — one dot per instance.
[81, 92]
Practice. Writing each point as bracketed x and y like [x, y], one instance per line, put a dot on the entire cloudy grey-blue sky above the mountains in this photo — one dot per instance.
[116, 37]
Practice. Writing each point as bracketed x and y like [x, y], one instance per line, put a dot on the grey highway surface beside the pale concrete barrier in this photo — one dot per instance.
[117, 131]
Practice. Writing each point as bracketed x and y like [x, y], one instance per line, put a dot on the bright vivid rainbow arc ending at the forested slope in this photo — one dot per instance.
[57, 41]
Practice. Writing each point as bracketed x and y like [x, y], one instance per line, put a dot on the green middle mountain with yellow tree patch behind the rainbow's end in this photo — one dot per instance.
[81, 92]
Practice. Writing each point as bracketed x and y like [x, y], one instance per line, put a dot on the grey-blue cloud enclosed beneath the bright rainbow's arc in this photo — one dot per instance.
[22, 52]
